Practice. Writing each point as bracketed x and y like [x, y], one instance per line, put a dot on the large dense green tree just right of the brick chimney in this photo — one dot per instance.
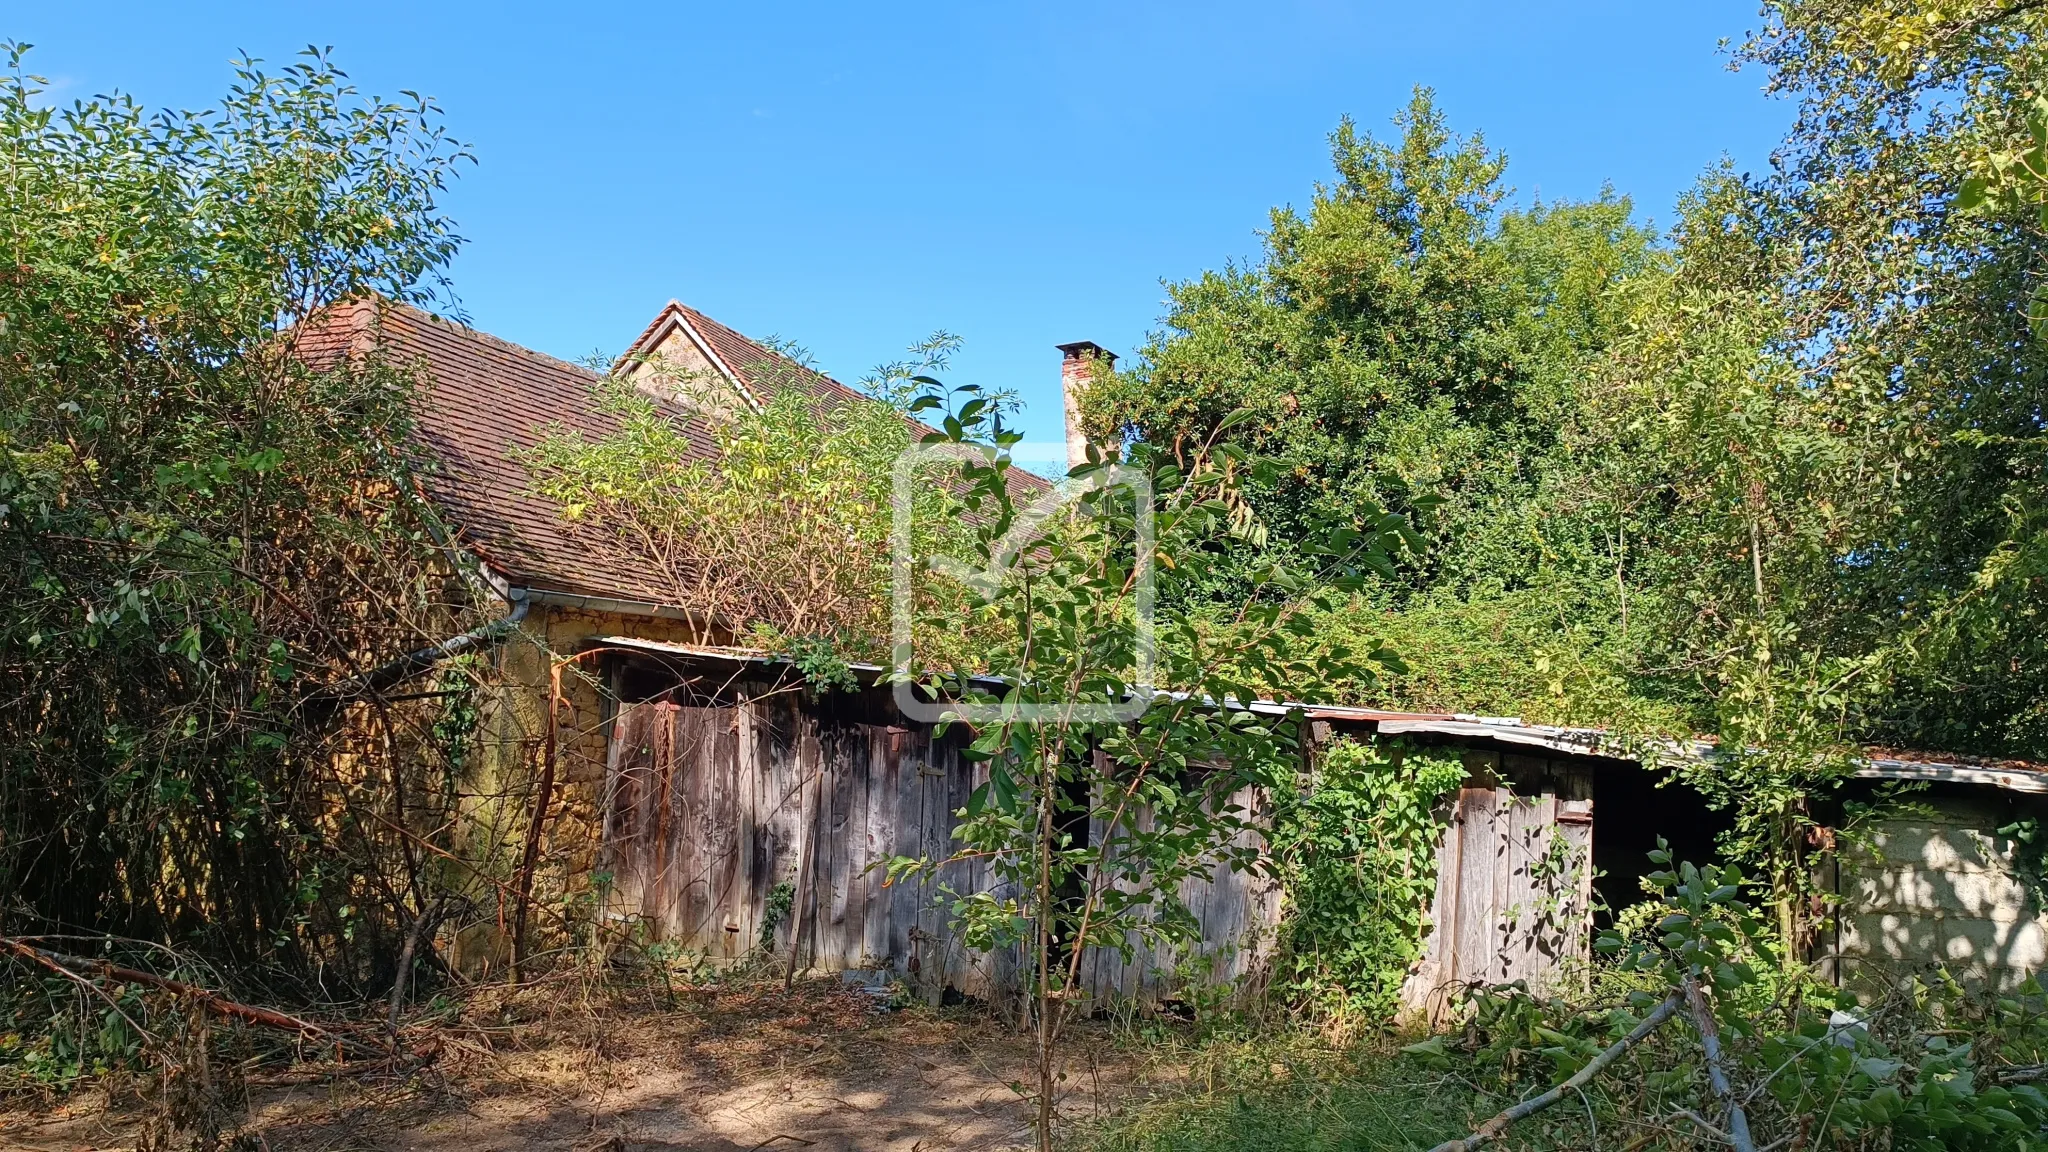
[1414, 347]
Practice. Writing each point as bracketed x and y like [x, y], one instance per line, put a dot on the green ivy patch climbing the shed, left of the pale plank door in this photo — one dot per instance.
[1357, 856]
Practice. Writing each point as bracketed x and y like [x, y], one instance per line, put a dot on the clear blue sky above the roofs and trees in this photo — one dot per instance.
[857, 175]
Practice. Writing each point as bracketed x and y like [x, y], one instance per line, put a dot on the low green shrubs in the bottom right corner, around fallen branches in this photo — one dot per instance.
[1920, 1065]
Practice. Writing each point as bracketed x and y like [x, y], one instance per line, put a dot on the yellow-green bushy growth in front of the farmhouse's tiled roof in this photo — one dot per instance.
[761, 524]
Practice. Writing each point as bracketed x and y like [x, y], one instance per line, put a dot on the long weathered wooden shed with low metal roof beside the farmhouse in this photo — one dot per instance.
[744, 813]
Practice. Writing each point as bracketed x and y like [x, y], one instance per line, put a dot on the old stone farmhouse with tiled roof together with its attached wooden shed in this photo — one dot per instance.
[687, 794]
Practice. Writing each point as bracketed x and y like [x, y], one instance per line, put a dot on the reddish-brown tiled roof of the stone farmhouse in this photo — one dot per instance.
[484, 399]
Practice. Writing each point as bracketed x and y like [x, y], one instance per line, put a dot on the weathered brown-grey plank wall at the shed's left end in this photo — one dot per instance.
[712, 809]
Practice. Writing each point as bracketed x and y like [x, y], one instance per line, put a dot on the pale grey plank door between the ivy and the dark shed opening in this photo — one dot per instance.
[1514, 887]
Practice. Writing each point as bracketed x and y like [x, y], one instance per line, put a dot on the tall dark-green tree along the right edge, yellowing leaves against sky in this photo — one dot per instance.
[1908, 294]
